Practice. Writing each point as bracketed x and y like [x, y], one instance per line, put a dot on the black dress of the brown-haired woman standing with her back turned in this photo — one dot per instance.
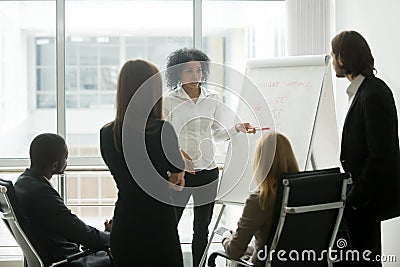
[144, 231]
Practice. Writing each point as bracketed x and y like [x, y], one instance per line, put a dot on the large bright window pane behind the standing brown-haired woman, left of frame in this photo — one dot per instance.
[96, 48]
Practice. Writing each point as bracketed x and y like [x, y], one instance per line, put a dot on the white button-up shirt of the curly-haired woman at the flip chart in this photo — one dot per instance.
[198, 125]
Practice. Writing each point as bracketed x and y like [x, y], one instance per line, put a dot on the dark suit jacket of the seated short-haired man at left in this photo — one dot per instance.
[58, 230]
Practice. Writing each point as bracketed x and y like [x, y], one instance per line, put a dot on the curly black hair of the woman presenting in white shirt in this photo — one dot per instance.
[183, 55]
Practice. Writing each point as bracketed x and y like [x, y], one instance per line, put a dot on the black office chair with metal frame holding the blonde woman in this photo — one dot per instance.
[307, 217]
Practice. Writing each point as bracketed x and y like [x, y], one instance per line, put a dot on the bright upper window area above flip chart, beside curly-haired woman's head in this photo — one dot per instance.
[234, 31]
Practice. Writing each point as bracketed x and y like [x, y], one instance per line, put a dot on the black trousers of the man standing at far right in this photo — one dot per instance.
[364, 234]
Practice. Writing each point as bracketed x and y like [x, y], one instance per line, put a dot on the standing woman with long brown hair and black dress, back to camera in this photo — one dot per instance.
[144, 232]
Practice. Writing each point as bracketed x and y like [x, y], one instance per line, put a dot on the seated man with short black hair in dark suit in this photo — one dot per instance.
[58, 230]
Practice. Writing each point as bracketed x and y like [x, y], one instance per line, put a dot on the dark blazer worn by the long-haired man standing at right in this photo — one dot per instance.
[370, 150]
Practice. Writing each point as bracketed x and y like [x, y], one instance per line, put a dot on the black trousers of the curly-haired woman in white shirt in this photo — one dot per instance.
[203, 187]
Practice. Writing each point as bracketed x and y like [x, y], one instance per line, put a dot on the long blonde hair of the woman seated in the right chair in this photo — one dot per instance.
[266, 173]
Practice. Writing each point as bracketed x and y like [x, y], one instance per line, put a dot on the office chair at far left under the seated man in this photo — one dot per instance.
[34, 254]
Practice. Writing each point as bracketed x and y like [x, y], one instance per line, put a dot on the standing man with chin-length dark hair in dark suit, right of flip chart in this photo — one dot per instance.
[369, 150]
